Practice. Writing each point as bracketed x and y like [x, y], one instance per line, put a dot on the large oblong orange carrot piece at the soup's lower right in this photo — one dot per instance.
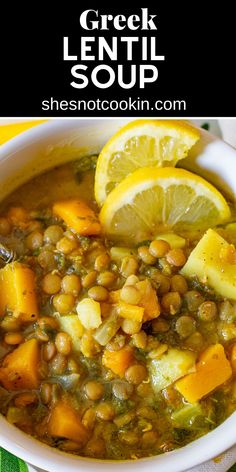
[212, 370]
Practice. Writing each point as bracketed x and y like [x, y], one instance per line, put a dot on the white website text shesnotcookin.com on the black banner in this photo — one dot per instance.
[129, 104]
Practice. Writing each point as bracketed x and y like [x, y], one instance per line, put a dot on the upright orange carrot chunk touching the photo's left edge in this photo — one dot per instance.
[18, 291]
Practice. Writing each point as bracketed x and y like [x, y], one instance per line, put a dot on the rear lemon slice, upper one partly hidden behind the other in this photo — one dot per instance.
[142, 143]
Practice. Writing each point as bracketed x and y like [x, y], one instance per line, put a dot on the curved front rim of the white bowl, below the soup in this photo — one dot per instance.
[41, 455]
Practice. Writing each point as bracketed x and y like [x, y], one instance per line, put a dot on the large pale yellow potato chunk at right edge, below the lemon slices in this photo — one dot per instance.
[206, 263]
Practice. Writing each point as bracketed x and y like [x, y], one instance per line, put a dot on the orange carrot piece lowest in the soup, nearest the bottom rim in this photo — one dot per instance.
[64, 422]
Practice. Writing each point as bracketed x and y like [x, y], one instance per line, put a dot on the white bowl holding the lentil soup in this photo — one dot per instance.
[61, 140]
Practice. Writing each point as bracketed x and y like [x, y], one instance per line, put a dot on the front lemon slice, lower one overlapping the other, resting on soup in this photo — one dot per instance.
[153, 200]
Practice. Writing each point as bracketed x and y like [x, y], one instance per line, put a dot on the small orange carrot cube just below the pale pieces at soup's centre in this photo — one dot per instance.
[118, 361]
